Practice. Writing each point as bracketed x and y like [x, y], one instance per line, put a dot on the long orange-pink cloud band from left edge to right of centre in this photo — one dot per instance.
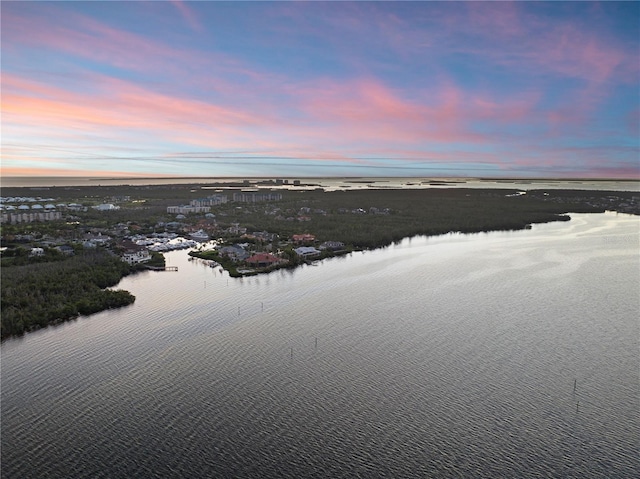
[328, 117]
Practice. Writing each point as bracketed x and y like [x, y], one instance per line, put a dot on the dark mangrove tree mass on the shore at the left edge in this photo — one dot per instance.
[36, 294]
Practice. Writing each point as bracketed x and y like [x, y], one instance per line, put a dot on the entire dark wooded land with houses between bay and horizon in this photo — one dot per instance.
[84, 240]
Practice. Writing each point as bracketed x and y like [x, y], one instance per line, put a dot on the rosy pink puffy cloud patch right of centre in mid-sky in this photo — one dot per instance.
[367, 110]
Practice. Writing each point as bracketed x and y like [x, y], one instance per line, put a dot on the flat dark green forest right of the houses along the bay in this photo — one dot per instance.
[412, 212]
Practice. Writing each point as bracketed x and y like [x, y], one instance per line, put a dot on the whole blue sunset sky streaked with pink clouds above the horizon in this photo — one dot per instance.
[315, 89]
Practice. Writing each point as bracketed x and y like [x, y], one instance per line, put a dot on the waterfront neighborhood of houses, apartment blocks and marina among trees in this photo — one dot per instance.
[191, 225]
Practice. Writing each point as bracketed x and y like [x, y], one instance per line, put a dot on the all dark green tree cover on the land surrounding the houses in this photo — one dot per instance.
[38, 291]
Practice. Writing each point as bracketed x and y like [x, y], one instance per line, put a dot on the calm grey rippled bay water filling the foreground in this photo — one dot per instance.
[452, 356]
